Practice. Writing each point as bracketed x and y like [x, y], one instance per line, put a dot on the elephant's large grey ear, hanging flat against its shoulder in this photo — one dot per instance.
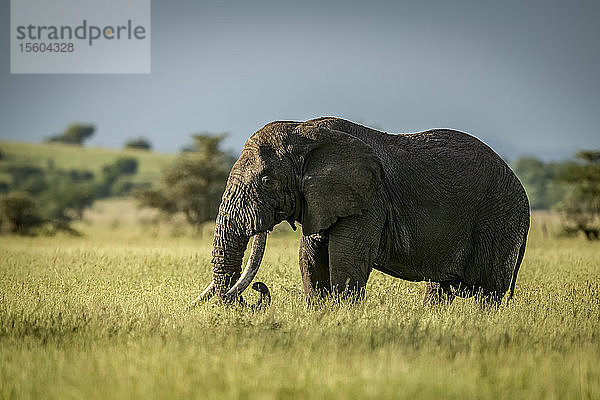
[341, 176]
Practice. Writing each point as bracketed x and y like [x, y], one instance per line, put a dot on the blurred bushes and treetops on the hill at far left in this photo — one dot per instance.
[47, 199]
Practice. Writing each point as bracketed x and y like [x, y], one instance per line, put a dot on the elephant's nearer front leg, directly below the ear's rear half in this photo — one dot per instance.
[353, 246]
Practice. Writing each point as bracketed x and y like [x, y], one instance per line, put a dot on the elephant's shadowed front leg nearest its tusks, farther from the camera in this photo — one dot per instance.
[314, 265]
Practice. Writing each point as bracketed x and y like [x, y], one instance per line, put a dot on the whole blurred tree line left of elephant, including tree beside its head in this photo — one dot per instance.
[47, 199]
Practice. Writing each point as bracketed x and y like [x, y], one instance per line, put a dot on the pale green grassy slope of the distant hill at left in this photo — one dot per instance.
[64, 156]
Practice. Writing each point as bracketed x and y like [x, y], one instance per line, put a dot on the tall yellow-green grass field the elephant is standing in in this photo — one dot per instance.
[104, 316]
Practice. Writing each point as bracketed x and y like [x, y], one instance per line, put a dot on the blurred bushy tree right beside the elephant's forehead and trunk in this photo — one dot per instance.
[193, 185]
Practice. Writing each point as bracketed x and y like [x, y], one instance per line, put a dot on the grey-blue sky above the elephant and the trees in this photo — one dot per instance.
[522, 76]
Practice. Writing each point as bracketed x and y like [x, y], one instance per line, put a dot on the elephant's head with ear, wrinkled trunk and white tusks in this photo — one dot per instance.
[305, 172]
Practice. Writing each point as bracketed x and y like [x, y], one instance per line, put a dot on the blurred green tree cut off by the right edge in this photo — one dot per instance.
[581, 208]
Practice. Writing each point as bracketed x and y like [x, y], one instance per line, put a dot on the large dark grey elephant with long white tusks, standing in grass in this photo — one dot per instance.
[438, 206]
